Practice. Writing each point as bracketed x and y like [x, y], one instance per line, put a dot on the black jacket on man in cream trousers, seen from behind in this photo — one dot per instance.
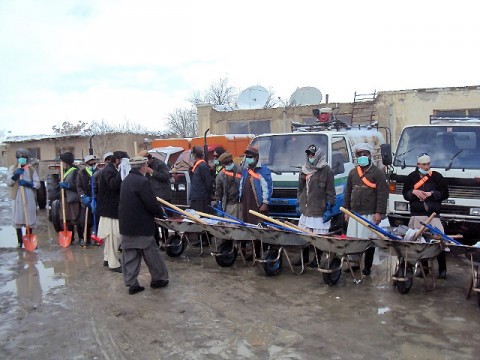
[108, 197]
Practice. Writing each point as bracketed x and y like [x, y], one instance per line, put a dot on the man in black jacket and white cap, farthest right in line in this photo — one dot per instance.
[425, 190]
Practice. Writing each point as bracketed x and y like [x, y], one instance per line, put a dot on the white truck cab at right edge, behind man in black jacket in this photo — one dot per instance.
[454, 149]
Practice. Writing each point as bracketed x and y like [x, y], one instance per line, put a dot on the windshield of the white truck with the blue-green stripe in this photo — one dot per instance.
[286, 152]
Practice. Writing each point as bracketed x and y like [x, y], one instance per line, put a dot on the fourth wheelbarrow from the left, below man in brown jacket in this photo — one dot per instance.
[336, 252]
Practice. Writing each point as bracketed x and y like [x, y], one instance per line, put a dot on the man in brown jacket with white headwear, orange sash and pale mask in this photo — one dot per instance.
[366, 194]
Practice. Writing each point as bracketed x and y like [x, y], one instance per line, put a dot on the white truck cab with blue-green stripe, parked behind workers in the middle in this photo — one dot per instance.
[284, 155]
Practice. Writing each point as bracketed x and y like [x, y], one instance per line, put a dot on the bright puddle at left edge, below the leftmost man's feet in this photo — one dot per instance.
[34, 279]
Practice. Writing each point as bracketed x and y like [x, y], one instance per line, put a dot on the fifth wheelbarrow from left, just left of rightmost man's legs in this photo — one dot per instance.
[409, 255]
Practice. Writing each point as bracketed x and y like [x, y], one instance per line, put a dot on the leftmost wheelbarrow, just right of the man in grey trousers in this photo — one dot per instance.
[176, 244]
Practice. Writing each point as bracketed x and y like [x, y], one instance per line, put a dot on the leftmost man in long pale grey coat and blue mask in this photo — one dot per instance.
[22, 178]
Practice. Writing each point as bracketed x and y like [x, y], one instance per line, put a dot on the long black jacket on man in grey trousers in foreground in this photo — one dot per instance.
[138, 206]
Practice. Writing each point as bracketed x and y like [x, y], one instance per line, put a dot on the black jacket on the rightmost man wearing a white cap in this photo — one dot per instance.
[436, 184]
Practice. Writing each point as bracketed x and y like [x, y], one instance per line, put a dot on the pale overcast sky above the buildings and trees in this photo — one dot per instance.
[117, 60]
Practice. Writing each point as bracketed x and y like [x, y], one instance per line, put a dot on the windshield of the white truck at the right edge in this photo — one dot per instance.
[452, 147]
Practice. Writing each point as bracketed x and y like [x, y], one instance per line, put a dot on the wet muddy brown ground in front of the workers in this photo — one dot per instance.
[64, 304]
